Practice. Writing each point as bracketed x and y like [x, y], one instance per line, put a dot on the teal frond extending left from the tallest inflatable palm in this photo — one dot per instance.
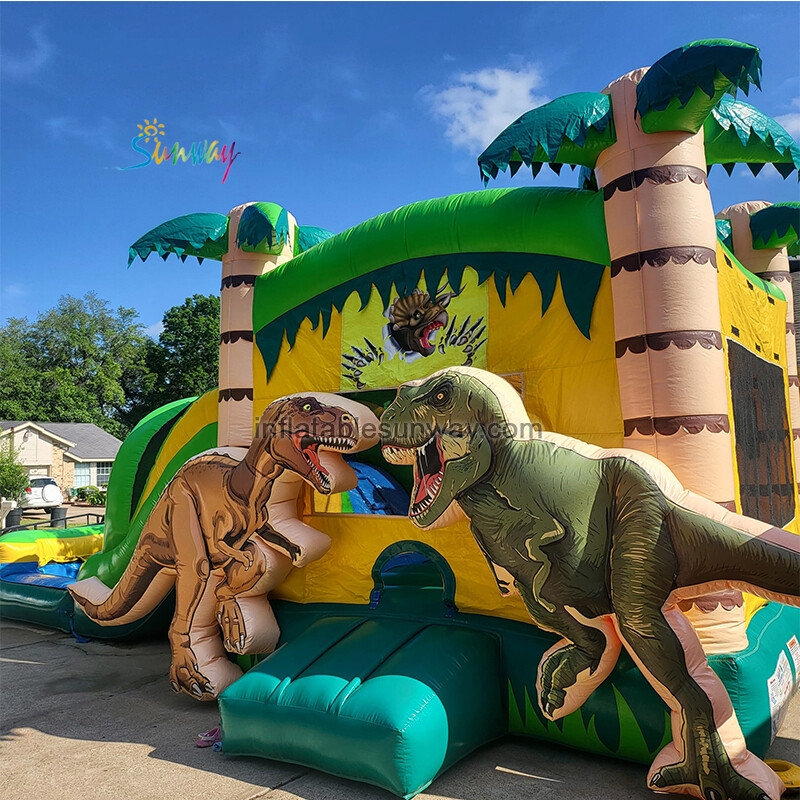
[573, 129]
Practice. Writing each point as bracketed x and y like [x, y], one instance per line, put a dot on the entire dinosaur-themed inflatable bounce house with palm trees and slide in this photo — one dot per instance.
[518, 461]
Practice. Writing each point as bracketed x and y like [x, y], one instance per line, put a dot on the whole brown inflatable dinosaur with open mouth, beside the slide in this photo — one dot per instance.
[225, 531]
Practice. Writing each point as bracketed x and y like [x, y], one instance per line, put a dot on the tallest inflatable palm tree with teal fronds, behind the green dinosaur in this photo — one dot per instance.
[647, 141]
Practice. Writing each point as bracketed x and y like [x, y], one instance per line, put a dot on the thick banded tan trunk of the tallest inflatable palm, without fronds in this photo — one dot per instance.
[670, 362]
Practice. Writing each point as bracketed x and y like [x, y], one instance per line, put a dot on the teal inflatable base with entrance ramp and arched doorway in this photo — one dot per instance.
[394, 693]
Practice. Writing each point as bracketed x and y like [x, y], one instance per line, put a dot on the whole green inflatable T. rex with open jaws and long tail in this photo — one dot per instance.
[602, 546]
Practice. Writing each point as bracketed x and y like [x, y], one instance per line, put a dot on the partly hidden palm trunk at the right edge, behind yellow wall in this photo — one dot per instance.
[771, 265]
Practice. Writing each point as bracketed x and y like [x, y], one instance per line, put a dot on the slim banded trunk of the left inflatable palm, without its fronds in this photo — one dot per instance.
[239, 272]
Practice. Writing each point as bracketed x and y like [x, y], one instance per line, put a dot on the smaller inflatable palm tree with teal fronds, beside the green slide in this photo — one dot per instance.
[251, 240]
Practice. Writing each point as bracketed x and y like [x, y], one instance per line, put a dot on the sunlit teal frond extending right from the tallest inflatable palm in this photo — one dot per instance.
[736, 133]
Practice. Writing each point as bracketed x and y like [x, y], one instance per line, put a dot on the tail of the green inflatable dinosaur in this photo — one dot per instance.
[766, 564]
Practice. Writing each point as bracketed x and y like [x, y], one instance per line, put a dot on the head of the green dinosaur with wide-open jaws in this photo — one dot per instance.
[447, 426]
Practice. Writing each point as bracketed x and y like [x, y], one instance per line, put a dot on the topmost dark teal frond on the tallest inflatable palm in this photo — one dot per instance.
[679, 90]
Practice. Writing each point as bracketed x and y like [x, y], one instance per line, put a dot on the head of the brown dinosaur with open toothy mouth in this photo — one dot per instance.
[308, 433]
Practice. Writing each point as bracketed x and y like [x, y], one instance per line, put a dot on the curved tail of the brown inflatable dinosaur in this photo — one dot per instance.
[140, 589]
